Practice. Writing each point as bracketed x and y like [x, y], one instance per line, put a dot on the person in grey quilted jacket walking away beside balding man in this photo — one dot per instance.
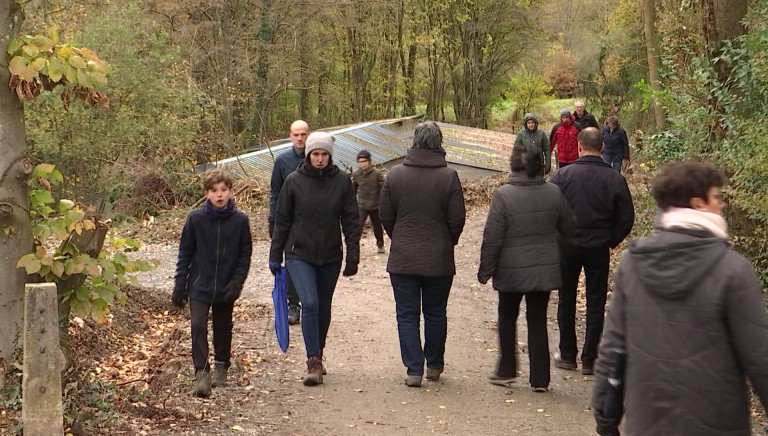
[521, 252]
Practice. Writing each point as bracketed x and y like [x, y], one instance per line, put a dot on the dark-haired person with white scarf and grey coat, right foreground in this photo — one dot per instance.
[690, 314]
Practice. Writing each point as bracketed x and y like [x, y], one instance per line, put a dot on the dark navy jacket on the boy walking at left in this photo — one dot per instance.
[213, 250]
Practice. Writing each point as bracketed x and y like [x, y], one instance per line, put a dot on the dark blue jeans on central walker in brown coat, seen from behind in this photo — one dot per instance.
[415, 294]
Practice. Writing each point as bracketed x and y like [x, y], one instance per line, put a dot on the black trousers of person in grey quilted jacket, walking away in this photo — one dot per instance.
[538, 340]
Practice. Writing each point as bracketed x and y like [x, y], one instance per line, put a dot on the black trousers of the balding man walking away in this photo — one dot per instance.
[596, 263]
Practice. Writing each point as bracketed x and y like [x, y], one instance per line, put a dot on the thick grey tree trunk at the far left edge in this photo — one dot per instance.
[16, 236]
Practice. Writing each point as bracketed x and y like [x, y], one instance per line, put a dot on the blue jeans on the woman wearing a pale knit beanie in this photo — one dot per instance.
[315, 285]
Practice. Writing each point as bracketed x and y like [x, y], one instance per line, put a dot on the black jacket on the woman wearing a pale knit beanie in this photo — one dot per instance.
[312, 210]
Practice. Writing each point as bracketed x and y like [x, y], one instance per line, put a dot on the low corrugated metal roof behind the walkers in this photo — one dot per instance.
[466, 146]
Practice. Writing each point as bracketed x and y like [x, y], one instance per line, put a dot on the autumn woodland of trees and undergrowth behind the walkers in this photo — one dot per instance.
[198, 80]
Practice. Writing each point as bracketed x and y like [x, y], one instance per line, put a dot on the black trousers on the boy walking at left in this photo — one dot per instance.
[221, 315]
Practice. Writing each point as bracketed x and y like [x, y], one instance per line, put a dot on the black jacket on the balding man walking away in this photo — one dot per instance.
[600, 200]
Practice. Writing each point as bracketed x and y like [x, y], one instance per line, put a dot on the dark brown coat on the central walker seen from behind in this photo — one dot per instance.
[422, 210]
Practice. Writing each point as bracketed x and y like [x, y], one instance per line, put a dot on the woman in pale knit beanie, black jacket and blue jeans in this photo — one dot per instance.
[316, 203]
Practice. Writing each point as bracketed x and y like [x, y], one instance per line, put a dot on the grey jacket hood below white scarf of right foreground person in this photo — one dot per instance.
[672, 263]
